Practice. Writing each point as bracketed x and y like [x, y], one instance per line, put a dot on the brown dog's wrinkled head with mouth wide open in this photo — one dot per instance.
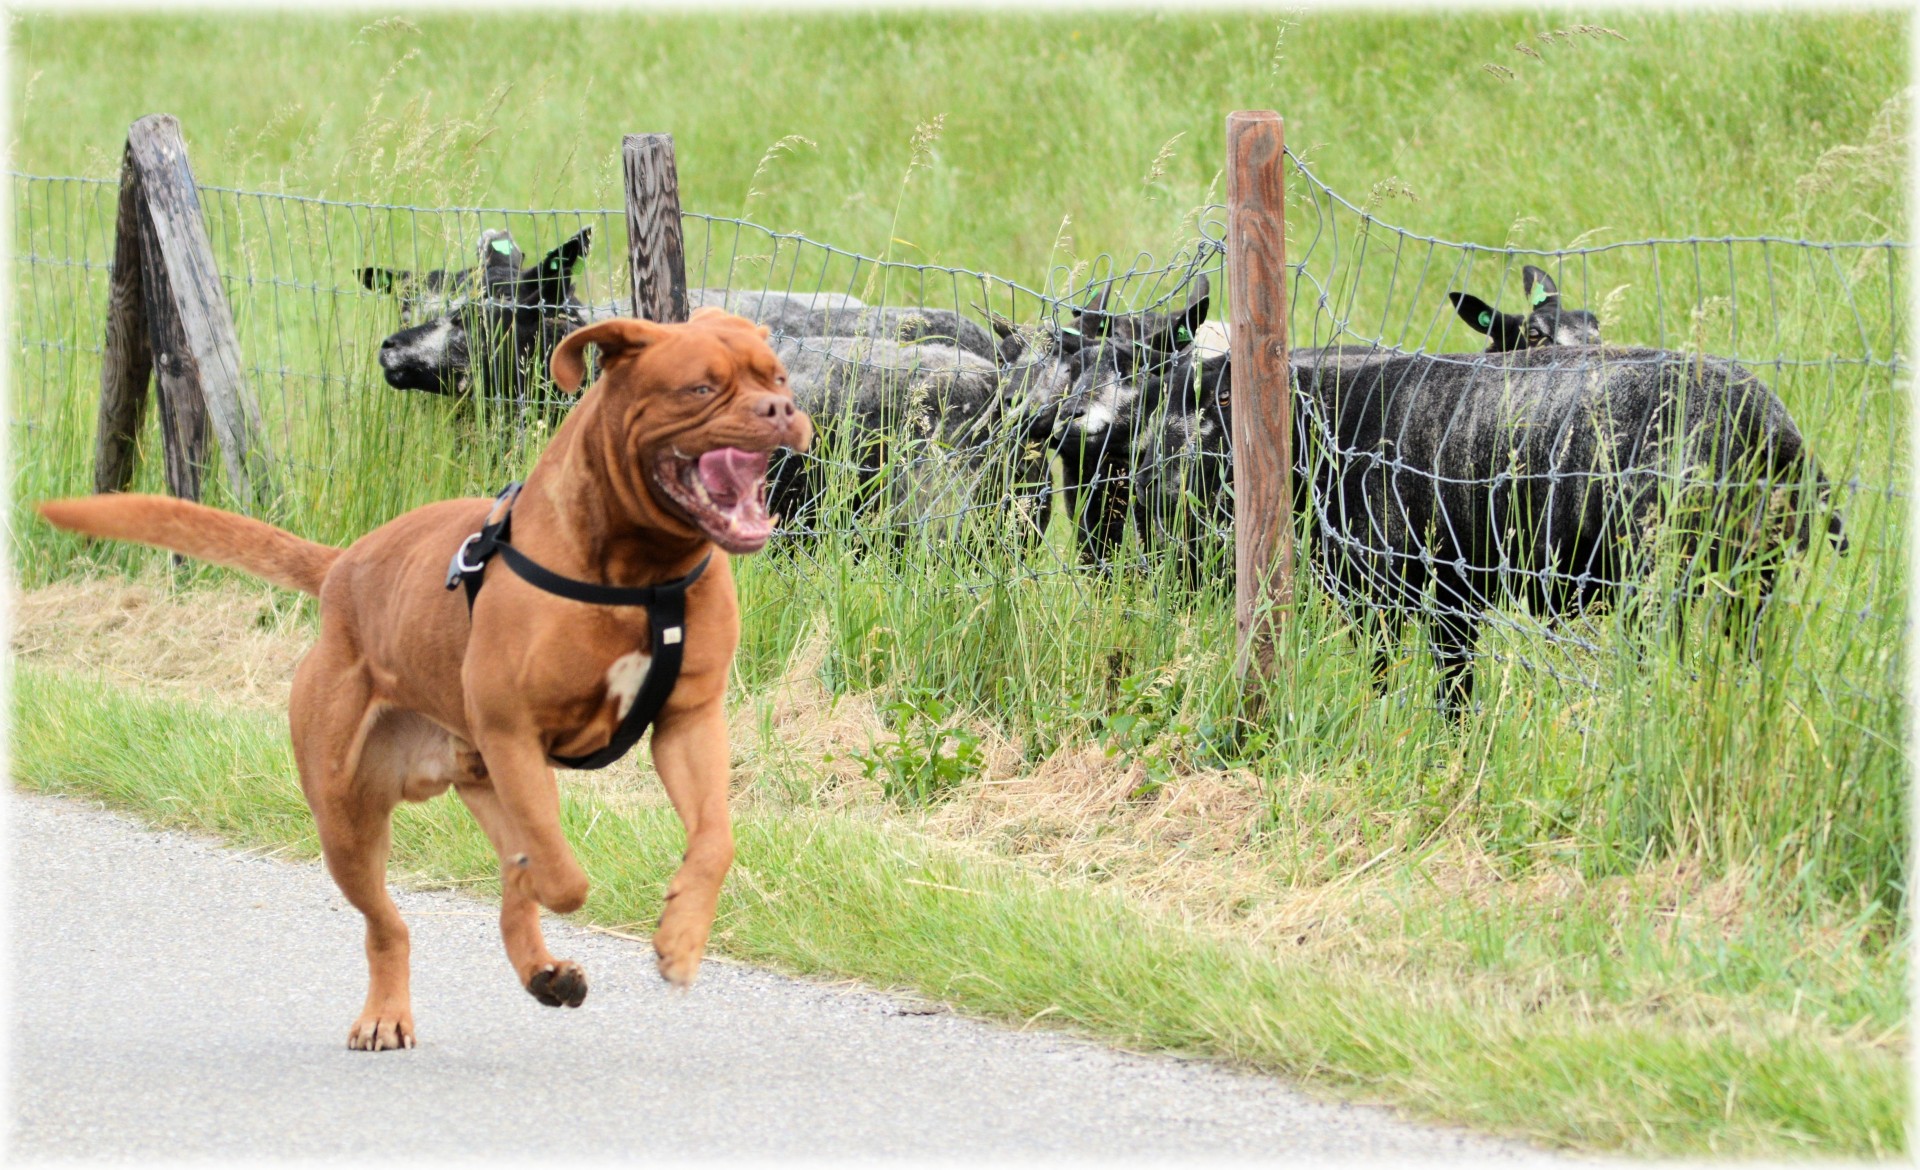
[694, 410]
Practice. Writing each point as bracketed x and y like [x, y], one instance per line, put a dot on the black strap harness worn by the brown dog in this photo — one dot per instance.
[667, 612]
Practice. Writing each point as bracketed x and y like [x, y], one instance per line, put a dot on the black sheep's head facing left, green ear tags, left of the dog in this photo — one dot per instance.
[498, 318]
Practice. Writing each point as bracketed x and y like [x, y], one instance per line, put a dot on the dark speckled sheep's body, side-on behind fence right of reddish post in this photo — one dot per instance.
[1451, 485]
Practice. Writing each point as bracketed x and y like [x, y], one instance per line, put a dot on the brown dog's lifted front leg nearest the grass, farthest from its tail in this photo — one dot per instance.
[692, 756]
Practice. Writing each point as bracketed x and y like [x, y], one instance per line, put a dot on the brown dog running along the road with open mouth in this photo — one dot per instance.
[408, 695]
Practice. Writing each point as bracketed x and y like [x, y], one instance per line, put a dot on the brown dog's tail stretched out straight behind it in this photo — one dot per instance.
[201, 533]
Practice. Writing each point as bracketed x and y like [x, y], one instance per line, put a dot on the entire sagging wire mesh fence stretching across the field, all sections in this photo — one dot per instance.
[976, 429]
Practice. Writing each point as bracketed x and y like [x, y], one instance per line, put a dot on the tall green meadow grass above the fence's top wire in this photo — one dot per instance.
[1045, 116]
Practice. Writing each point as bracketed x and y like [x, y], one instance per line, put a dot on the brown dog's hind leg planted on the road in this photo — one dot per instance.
[331, 714]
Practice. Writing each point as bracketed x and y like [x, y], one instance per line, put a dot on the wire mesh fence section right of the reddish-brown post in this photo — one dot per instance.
[1735, 431]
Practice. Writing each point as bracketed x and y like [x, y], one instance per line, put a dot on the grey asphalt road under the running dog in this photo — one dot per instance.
[181, 1000]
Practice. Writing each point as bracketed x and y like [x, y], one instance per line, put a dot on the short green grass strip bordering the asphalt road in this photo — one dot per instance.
[827, 896]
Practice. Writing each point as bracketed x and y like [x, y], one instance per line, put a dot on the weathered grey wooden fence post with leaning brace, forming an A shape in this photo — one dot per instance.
[168, 316]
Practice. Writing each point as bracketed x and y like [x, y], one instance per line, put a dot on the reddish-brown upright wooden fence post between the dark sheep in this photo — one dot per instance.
[1262, 389]
